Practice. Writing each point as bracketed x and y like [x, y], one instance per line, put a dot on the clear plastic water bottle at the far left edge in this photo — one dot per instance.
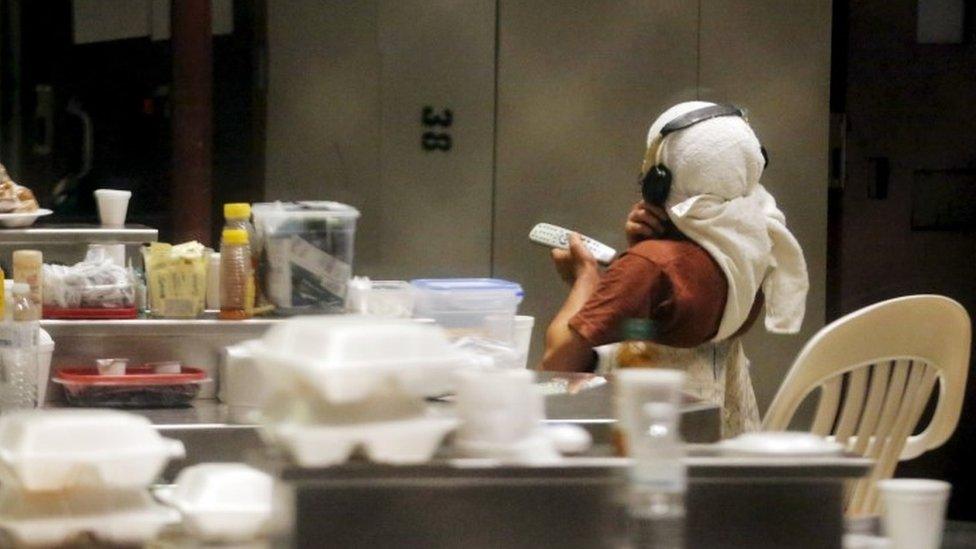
[18, 355]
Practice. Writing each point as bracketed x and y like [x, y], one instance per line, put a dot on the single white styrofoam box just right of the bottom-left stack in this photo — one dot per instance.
[223, 502]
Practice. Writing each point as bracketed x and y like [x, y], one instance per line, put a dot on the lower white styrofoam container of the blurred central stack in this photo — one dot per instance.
[398, 442]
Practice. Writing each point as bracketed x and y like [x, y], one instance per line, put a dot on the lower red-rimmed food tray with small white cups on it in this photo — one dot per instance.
[139, 387]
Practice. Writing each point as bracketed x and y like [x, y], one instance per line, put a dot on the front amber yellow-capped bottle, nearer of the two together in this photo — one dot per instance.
[236, 276]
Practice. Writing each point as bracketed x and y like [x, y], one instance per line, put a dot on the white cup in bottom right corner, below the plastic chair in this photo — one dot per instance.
[914, 514]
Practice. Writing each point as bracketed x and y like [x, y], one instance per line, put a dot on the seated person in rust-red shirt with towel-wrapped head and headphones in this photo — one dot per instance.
[708, 252]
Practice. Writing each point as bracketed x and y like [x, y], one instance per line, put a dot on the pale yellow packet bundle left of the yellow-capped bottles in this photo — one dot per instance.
[177, 279]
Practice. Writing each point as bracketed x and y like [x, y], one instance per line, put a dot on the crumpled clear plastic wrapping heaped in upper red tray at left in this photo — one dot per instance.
[95, 283]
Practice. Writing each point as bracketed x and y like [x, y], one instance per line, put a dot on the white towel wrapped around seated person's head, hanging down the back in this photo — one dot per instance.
[717, 201]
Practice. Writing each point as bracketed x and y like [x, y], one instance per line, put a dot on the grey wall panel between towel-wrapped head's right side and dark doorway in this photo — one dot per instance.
[773, 58]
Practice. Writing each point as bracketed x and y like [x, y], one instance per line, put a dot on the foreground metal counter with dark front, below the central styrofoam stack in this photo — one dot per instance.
[732, 502]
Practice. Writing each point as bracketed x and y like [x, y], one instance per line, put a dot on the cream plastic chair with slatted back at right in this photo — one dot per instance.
[876, 370]
